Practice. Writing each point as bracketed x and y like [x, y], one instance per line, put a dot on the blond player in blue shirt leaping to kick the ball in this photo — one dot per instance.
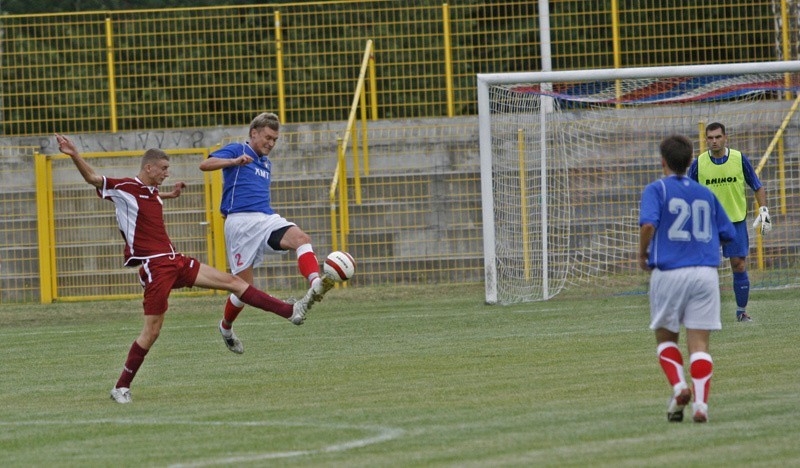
[252, 228]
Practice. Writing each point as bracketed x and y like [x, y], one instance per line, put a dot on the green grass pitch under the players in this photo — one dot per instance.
[393, 377]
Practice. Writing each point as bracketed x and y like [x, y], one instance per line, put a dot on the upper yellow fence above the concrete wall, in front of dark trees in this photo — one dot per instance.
[184, 68]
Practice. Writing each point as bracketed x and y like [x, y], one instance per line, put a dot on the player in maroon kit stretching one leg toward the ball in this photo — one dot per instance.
[161, 268]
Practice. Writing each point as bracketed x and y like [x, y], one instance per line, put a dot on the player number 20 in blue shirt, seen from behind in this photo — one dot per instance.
[681, 225]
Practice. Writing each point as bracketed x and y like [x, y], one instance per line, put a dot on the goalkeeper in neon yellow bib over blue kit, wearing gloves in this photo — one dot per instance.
[725, 171]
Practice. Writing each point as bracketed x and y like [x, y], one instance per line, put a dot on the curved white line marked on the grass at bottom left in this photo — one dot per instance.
[384, 434]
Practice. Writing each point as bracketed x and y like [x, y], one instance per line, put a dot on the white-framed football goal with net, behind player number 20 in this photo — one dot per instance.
[565, 156]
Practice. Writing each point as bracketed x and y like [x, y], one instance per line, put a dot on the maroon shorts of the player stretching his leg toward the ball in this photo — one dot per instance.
[160, 275]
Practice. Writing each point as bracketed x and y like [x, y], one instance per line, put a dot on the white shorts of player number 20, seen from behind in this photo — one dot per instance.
[685, 296]
